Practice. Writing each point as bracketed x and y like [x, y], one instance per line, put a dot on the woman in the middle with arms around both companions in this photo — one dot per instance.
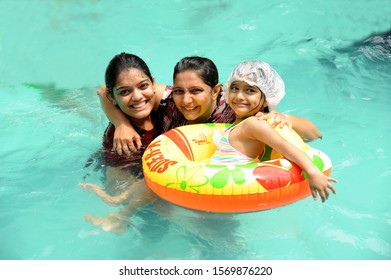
[196, 97]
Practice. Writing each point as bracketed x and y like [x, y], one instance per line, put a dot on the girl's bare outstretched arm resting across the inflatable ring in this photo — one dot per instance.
[263, 132]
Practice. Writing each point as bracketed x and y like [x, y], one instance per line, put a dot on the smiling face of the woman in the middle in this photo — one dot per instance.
[193, 98]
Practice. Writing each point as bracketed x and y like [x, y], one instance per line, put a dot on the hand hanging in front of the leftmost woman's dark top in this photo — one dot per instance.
[126, 139]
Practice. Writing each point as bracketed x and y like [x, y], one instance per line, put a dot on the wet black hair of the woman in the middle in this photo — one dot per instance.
[205, 68]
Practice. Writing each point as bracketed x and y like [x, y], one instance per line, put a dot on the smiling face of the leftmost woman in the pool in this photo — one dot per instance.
[134, 93]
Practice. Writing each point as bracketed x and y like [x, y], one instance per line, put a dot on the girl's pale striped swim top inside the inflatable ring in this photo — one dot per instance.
[226, 154]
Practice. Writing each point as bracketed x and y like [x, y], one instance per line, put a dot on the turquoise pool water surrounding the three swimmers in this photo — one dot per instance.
[335, 58]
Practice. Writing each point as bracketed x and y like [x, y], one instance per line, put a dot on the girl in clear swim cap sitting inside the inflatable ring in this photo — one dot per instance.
[253, 86]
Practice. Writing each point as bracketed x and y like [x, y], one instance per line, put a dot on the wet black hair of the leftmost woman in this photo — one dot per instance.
[122, 62]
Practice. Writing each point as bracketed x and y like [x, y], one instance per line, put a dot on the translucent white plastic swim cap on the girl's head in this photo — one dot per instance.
[262, 75]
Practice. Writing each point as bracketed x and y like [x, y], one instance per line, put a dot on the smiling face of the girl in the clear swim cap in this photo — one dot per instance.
[245, 100]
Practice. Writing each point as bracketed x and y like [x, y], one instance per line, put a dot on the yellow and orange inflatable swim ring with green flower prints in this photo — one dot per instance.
[175, 166]
